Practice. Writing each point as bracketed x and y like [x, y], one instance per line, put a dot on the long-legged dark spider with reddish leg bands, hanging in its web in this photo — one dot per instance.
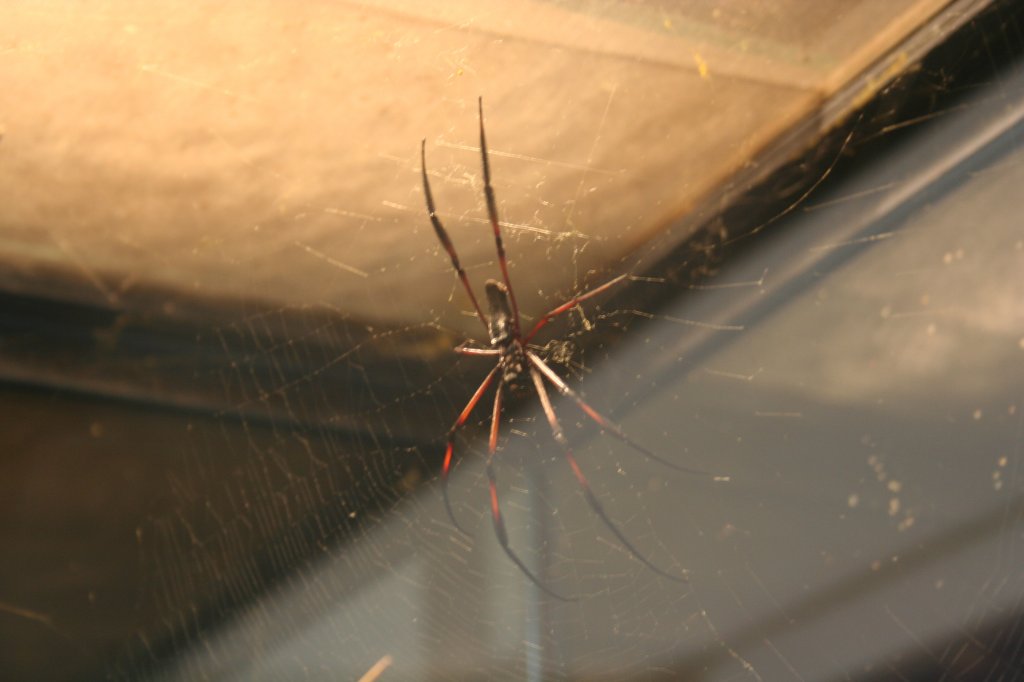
[517, 360]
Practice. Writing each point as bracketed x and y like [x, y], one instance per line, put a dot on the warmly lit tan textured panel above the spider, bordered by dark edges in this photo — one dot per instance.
[269, 151]
